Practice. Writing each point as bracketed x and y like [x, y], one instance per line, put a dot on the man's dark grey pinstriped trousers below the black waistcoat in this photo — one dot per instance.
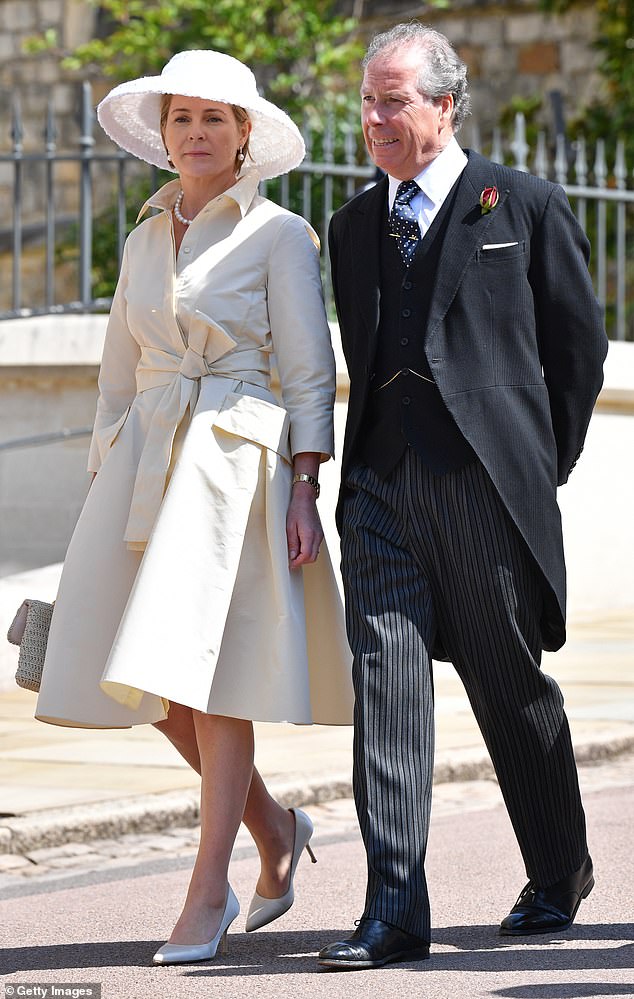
[426, 555]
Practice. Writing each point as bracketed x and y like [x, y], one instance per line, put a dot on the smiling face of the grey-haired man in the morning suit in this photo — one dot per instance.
[403, 130]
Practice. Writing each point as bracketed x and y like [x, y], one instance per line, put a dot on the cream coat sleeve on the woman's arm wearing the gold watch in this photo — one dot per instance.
[301, 337]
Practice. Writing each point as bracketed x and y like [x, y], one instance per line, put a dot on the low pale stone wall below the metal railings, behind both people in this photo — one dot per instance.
[48, 371]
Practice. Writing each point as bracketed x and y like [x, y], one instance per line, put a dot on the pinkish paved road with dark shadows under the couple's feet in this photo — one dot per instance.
[95, 912]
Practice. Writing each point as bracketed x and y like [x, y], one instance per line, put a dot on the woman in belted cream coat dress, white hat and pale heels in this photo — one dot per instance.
[192, 595]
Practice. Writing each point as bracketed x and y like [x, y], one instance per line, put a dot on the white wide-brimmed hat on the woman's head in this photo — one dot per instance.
[130, 114]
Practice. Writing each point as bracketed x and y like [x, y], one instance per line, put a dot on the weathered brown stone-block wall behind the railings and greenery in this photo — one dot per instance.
[511, 48]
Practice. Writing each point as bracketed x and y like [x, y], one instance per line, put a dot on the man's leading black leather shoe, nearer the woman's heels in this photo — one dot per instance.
[373, 944]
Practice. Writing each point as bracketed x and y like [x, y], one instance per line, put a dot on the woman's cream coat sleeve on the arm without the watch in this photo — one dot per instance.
[117, 383]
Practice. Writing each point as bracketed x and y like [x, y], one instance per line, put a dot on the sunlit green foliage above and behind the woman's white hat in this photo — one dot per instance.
[300, 50]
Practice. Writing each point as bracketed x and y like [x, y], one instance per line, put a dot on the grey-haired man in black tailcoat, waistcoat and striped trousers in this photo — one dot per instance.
[475, 357]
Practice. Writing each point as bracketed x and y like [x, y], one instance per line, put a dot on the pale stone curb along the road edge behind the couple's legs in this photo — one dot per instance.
[157, 812]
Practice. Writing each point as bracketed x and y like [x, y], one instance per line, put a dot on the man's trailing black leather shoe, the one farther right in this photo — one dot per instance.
[544, 910]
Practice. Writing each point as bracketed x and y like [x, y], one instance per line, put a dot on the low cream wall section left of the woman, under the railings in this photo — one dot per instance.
[48, 381]
